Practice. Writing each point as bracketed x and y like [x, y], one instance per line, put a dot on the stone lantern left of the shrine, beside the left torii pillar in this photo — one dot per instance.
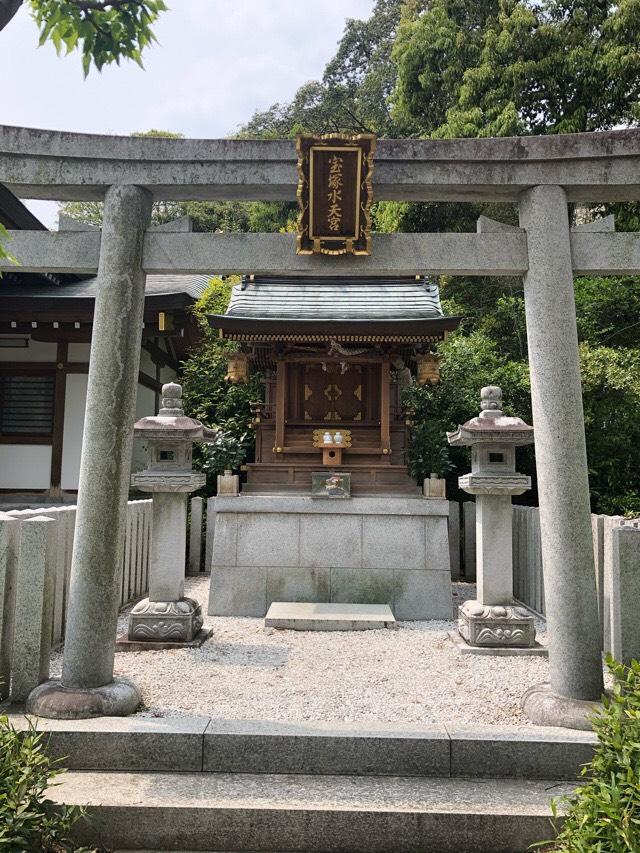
[166, 616]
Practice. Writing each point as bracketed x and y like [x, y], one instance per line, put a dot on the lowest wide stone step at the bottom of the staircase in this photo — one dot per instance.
[298, 813]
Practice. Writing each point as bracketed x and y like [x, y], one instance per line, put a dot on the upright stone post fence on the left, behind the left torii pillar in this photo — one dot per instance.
[35, 565]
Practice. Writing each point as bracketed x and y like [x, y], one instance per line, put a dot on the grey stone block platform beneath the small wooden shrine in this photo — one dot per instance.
[378, 550]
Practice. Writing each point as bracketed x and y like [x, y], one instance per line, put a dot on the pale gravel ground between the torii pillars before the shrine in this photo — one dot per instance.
[410, 675]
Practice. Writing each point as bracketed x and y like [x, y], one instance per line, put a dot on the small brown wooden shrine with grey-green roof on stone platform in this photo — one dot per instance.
[336, 354]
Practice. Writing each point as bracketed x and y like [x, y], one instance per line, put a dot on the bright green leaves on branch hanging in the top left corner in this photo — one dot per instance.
[103, 31]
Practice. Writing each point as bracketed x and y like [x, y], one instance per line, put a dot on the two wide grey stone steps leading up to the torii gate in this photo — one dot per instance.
[204, 785]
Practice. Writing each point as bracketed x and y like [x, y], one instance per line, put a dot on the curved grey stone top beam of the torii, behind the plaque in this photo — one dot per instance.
[601, 166]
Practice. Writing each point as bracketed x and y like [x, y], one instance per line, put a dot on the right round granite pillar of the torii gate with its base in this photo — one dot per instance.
[576, 682]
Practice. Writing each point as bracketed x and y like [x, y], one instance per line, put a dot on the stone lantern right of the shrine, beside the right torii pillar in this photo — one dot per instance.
[492, 619]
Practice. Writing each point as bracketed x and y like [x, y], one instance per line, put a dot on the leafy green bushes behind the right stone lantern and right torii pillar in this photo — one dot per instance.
[611, 398]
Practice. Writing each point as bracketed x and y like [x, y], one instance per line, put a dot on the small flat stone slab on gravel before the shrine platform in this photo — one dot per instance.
[304, 616]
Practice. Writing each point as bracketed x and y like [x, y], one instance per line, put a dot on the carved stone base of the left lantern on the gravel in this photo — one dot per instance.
[165, 621]
